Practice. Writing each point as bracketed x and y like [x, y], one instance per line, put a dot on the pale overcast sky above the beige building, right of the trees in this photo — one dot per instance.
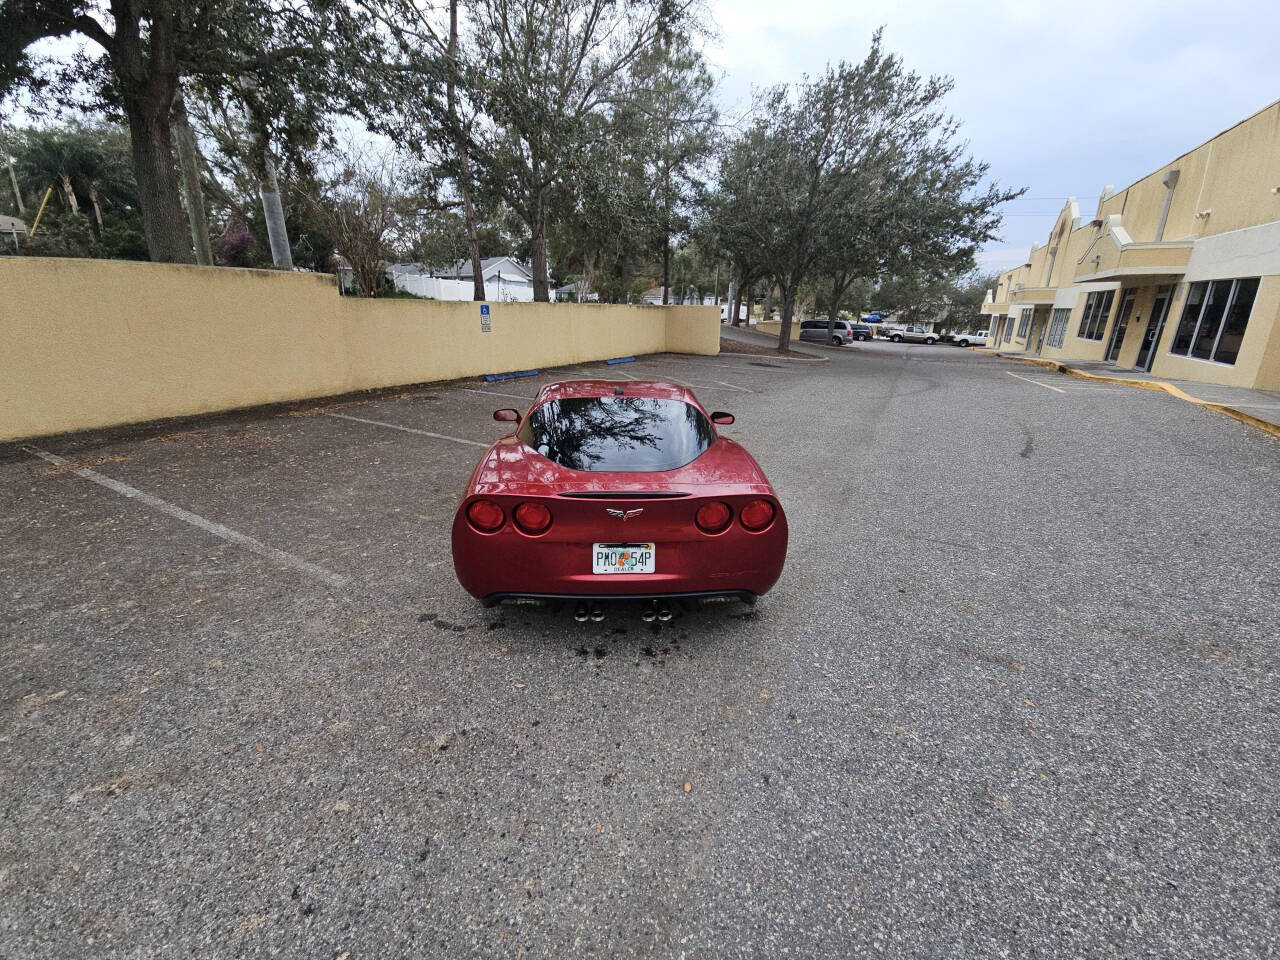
[1059, 98]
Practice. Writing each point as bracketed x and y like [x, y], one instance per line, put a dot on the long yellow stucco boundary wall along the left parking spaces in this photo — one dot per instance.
[95, 344]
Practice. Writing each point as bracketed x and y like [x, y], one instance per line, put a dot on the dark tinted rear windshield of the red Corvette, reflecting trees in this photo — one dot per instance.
[627, 435]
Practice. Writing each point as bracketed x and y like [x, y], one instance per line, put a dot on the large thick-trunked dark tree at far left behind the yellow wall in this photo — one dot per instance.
[290, 67]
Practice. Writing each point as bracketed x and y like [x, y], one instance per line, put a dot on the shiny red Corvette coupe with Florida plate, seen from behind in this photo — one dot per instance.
[614, 490]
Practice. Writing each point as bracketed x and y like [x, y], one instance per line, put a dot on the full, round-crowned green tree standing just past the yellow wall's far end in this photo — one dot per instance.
[854, 175]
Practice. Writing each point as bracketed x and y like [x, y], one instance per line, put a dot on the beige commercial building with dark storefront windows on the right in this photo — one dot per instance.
[1177, 275]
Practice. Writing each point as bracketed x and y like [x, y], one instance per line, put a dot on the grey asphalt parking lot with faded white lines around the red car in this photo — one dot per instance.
[1016, 694]
